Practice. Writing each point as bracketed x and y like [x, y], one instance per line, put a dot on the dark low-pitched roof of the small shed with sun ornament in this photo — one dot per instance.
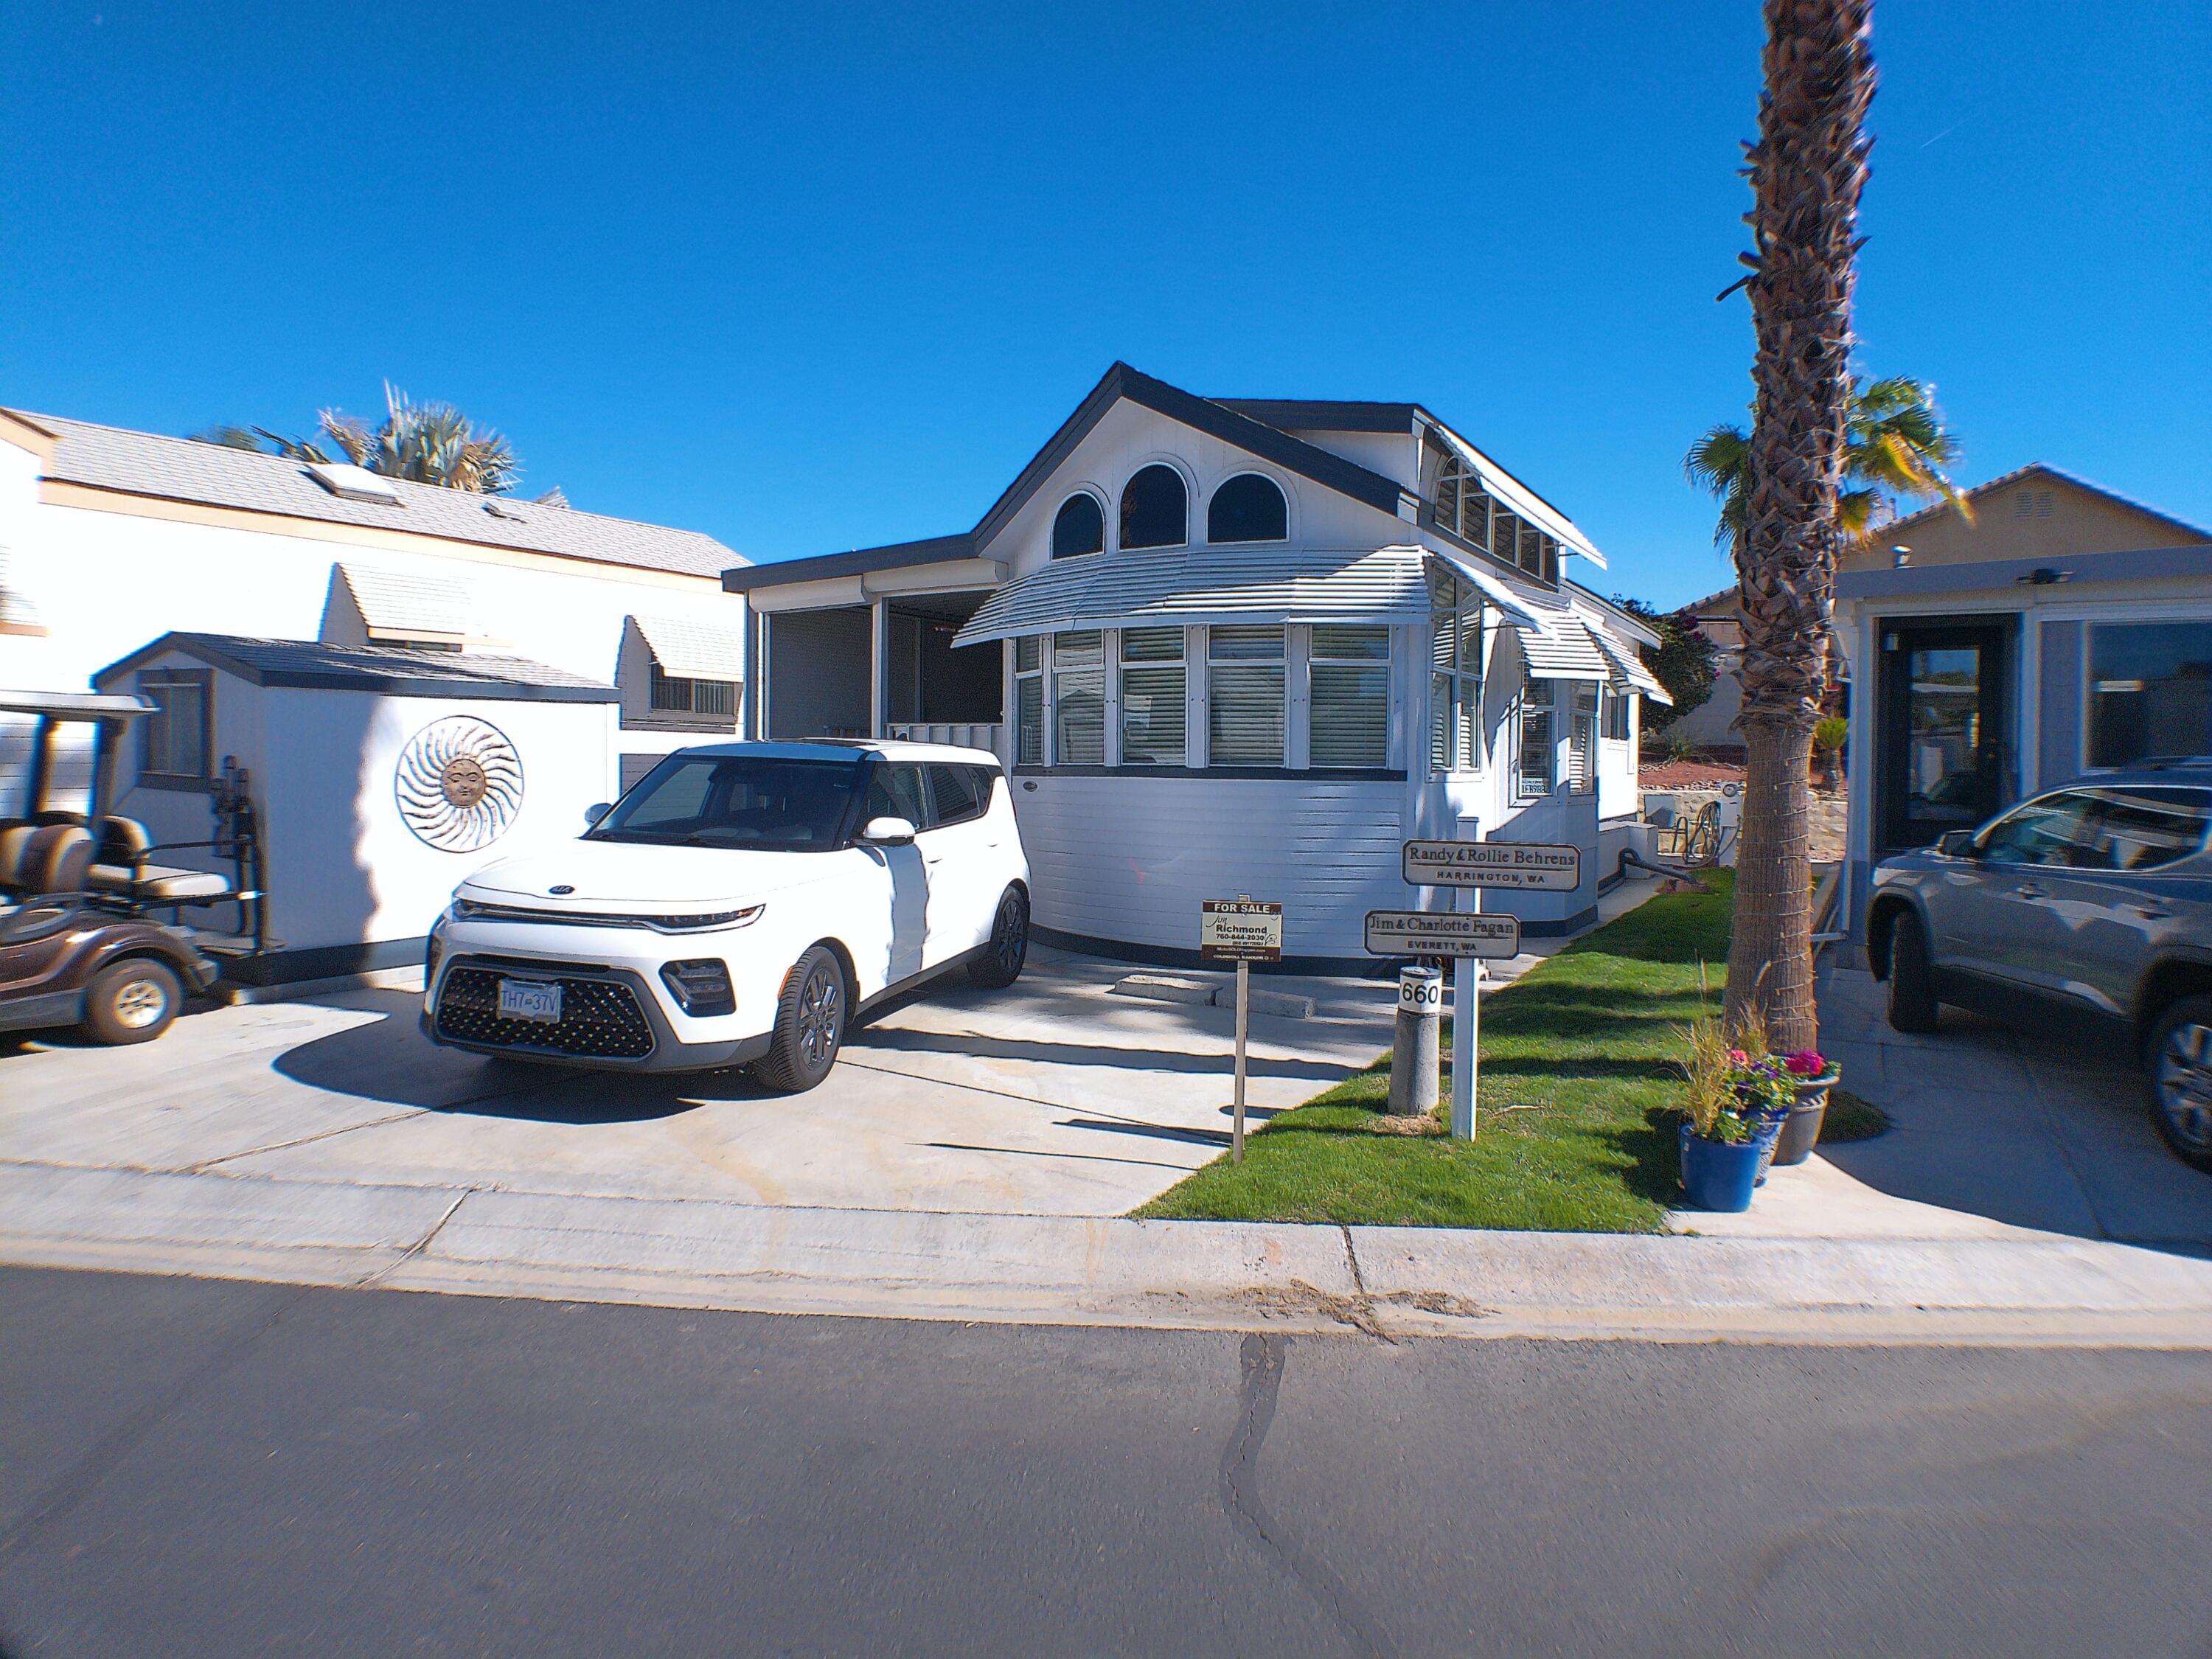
[375, 669]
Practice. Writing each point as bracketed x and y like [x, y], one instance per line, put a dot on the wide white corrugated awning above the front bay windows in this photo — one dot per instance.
[1198, 585]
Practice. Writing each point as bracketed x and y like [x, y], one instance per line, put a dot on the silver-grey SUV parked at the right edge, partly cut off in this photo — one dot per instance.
[2087, 908]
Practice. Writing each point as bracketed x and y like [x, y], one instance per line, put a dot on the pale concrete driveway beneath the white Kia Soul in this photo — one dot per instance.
[1052, 1098]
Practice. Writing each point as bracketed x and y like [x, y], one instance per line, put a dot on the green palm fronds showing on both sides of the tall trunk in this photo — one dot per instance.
[1895, 450]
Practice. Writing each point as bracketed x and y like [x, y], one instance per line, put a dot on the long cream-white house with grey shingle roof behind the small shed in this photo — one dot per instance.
[112, 539]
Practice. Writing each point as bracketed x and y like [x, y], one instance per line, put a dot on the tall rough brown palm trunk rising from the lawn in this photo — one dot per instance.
[1808, 171]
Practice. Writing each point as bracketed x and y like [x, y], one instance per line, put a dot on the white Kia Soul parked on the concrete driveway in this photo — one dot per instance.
[740, 906]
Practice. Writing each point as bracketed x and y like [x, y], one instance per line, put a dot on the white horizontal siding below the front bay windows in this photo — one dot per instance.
[1131, 857]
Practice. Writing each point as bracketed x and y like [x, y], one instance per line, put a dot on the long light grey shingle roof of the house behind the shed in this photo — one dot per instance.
[185, 470]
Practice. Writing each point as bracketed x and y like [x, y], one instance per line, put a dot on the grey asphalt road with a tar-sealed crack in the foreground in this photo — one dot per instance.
[258, 1470]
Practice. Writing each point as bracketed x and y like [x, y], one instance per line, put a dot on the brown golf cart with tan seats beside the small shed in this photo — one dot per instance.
[79, 937]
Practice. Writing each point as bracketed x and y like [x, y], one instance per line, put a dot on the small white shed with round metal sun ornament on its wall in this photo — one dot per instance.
[377, 775]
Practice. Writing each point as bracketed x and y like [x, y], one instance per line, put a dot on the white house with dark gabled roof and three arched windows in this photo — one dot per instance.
[1235, 647]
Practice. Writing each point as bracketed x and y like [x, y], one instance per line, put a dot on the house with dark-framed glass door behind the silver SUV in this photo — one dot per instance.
[2063, 632]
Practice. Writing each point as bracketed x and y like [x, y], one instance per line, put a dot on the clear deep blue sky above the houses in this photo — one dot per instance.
[817, 278]
